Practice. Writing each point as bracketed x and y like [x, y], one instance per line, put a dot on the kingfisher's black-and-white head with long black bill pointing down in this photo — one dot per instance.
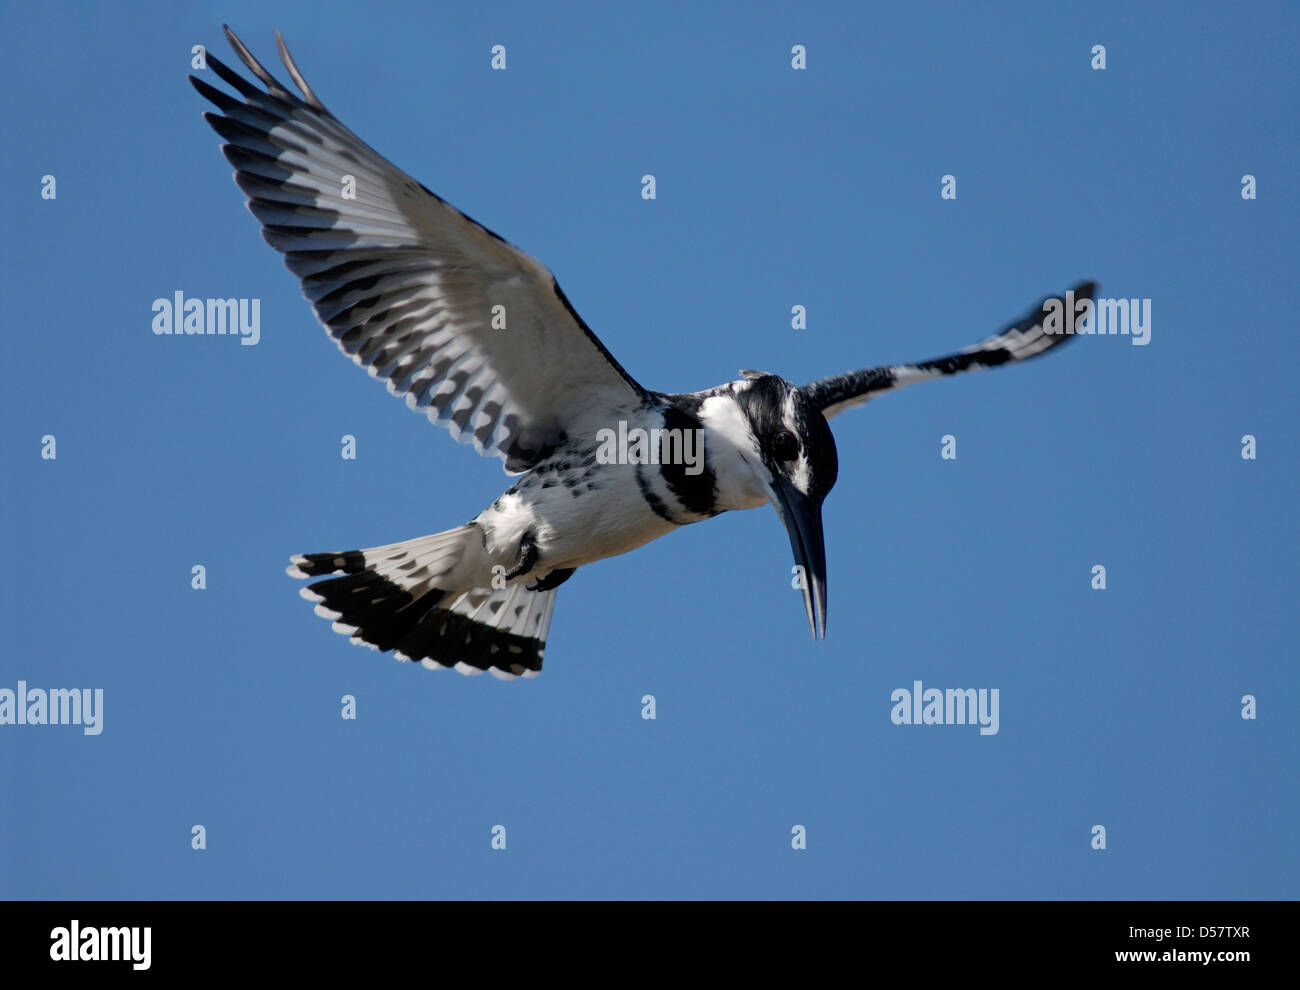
[796, 467]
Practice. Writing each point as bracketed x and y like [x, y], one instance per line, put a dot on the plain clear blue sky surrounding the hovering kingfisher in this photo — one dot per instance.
[775, 188]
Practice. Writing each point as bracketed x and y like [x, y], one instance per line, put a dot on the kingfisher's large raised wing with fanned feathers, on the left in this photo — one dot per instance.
[469, 328]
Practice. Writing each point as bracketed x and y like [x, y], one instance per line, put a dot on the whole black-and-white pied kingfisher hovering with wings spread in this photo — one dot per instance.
[479, 337]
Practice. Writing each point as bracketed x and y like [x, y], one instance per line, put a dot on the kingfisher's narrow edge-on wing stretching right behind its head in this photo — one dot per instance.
[1024, 340]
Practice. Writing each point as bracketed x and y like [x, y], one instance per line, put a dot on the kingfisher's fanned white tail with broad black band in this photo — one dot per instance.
[389, 598]
